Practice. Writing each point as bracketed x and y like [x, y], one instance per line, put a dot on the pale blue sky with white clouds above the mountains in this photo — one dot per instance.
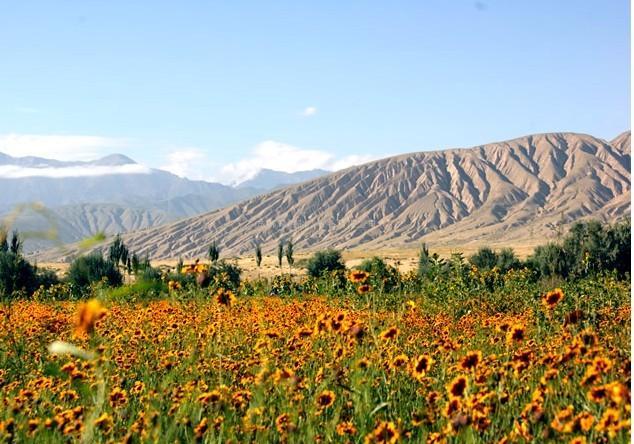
[216, 90]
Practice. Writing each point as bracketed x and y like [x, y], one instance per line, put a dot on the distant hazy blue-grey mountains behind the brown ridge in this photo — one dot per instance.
[113, 194]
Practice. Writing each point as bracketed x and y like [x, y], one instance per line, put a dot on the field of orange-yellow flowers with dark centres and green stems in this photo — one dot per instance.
[317, 369]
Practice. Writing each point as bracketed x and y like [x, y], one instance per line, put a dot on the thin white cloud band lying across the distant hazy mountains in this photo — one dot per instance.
[18, 172]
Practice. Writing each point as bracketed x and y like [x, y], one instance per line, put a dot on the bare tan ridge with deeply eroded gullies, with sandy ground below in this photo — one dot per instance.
[501, 193]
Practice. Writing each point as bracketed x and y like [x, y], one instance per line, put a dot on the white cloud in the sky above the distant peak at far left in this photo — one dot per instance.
[60, 147]
